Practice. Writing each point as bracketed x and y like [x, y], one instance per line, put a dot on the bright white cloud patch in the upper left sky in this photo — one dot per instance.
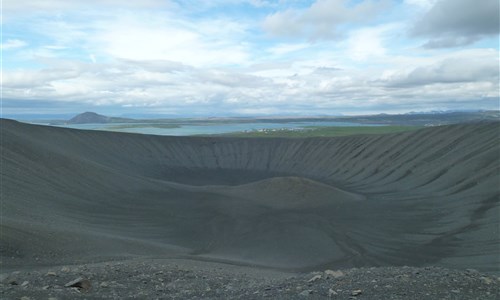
[163, 37]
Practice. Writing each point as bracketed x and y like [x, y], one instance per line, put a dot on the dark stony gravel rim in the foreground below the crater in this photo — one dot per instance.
[182, 279]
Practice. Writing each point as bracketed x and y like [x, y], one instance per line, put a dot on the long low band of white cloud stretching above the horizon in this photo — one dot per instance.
[299, 87]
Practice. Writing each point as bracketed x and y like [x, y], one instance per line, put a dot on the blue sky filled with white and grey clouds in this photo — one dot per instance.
[248, 57]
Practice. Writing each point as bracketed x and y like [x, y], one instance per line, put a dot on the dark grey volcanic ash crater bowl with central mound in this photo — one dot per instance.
[428, 197]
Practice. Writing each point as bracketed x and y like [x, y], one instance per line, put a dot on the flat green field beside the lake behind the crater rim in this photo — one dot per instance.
[320, 131]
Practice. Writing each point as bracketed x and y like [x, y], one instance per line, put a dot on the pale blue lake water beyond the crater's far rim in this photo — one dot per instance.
[208, 128]
